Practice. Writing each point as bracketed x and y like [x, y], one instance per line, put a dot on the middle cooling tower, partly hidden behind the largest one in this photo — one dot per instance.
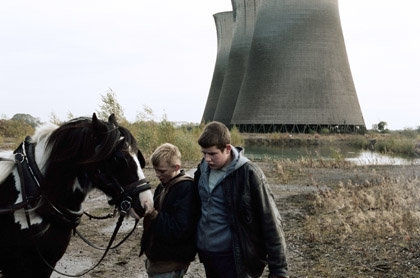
[245, 12]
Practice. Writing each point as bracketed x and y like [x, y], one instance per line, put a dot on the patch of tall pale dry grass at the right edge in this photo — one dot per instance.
[388, 208]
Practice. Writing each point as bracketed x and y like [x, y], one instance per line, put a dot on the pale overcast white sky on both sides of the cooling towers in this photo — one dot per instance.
[60, 57]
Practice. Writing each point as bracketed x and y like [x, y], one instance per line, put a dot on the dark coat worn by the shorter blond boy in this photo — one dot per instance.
[171, 235]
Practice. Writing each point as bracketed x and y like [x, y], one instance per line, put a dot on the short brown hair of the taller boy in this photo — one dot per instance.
[214, 134]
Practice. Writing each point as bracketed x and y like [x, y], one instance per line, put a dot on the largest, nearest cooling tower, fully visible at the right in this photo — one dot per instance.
[298, 73]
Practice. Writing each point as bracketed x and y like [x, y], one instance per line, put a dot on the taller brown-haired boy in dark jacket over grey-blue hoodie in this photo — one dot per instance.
[239, 230]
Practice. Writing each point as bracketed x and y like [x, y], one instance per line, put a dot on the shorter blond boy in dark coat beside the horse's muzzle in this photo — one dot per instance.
[169, 231]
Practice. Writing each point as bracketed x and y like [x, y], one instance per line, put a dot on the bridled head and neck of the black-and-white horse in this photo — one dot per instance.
[102, 155]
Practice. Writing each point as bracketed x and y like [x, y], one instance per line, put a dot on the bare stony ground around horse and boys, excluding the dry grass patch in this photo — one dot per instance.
[389, 257]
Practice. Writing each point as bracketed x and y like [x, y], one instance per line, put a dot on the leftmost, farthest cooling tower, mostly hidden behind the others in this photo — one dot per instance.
[224, 27]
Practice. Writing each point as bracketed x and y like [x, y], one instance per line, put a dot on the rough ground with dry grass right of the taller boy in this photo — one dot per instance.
[362, 221]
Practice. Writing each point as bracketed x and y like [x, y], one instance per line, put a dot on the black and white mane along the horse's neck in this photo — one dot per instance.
[74, 141]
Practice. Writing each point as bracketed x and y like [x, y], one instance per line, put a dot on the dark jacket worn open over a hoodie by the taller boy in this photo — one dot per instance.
[257, 234]
